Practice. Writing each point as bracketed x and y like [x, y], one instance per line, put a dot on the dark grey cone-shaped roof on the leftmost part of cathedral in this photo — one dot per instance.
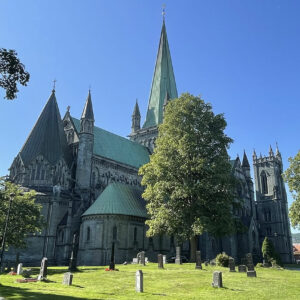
[47, 137]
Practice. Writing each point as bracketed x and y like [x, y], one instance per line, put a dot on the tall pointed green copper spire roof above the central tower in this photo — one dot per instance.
[163, 82]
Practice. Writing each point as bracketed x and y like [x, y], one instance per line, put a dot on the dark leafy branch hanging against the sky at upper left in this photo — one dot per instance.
[12, 71]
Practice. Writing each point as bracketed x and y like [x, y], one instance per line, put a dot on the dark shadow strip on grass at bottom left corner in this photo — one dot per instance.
[7, 291]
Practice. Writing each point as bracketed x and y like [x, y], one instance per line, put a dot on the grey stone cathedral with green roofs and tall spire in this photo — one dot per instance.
[87, 182]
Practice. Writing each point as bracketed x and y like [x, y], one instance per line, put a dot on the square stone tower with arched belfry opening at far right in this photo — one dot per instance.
[271, 202]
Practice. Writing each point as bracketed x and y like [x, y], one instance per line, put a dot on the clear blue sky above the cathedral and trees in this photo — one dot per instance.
[242, 56]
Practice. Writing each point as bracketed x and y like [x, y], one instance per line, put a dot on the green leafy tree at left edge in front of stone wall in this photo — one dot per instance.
[25, 217]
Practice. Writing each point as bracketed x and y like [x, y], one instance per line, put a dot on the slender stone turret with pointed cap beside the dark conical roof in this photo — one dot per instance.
[85, 149]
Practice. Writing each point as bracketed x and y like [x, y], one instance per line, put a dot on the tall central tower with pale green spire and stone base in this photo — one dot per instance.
[163, 87]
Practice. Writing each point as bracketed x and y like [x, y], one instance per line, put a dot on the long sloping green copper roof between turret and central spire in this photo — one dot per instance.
[117, 148]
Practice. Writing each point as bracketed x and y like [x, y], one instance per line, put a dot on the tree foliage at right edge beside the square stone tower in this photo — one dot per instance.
[292, 177]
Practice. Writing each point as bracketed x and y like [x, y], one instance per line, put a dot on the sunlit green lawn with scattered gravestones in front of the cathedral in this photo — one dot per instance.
[174, 282]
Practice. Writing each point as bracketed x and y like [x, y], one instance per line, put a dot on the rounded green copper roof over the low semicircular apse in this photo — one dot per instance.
[119, 199]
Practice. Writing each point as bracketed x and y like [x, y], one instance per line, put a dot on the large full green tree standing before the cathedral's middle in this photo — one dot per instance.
[189, 182]
